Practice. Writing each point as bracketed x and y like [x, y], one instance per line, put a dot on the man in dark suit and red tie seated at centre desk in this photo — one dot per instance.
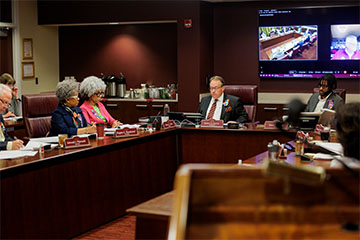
[221, 106]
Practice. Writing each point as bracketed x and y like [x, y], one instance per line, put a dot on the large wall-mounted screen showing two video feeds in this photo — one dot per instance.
[309, 42]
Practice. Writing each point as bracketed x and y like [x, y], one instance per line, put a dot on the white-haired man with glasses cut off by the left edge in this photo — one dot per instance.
[6, 142]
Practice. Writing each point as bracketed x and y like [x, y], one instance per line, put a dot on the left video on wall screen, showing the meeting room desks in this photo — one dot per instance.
[288, 43]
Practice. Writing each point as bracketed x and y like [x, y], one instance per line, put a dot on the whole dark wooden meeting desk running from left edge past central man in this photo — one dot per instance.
[67, 192]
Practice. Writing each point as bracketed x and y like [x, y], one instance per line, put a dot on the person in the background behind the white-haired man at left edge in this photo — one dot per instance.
[14, 108]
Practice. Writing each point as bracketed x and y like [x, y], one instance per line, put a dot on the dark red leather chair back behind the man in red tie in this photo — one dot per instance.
[248, 95]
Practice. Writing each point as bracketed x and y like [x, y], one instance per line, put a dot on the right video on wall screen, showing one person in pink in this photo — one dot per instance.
[345, 42]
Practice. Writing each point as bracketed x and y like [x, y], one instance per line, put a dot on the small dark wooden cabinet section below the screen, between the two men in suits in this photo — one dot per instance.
[270, 112]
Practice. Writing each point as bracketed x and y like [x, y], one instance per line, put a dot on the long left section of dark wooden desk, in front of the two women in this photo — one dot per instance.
[65, 195]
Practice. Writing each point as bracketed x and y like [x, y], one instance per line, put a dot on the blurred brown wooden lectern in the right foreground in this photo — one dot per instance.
[225, 201]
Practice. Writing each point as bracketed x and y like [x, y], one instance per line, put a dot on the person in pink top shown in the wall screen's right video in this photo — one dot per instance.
[351, 50]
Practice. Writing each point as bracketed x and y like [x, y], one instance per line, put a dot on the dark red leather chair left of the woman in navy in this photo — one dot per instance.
[37, 110]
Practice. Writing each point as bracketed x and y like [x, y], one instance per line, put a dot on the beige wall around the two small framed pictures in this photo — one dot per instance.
[45, 49]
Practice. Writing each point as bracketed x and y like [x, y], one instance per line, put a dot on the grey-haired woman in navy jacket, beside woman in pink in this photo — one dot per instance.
[67, 118]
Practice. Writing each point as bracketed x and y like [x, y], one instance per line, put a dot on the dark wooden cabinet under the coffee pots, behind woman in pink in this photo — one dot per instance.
[130, 111]
